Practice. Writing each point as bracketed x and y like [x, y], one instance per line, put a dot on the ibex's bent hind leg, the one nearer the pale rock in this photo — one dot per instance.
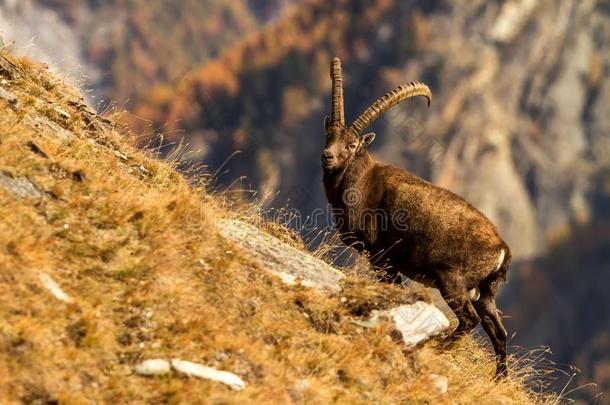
[453, 289]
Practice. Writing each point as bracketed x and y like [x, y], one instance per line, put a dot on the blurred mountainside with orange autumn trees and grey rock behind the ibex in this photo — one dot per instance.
[519, 124]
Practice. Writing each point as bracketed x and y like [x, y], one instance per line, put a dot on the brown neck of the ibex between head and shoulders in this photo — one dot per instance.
[336, 182]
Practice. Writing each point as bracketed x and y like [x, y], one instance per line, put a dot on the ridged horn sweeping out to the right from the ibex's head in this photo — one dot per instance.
[389, 100]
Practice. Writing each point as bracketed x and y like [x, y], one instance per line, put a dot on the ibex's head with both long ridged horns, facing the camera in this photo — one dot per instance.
[343, 143]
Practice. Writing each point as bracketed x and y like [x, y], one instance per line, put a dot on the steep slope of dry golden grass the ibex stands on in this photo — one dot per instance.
[139, 254]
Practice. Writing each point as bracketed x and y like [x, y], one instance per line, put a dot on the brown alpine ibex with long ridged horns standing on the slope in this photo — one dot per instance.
[424, 232]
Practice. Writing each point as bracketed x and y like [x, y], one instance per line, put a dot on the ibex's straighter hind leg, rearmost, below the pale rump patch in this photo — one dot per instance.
[492, 323]
